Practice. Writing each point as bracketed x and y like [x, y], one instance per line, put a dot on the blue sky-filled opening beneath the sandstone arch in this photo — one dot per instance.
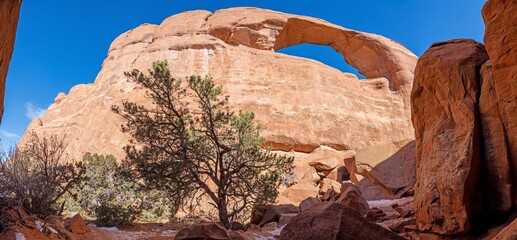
[324, 54]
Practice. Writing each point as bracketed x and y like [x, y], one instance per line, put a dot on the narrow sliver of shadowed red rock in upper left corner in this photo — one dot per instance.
[9, 14]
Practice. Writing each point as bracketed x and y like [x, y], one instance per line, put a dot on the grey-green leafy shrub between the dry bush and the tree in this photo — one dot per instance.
[111, 198]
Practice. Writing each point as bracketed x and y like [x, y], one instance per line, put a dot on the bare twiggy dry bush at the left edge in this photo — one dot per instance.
[36, 176]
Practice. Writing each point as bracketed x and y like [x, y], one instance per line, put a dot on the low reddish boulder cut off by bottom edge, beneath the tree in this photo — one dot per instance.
[203, 231]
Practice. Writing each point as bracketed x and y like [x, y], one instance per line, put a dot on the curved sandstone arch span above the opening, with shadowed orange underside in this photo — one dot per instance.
[373, 55]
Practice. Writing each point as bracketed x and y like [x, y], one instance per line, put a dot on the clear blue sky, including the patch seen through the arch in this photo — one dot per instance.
[60, 44]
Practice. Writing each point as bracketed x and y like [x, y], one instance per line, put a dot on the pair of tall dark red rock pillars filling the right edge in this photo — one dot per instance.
[464, 103]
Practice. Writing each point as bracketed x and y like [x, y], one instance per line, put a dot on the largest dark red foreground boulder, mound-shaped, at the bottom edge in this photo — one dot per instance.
[333, 221]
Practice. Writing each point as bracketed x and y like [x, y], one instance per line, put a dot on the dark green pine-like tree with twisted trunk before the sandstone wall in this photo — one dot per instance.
[205, 148]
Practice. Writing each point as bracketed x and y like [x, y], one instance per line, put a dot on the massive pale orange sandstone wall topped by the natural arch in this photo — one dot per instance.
[303, 104]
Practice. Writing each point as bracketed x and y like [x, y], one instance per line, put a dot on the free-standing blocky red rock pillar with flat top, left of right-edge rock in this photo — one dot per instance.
[449, 190]
